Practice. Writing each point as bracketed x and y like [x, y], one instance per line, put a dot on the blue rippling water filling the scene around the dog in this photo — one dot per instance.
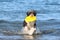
[13, 12]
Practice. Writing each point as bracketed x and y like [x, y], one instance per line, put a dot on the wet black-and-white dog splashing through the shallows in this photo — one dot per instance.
[30, 27]
